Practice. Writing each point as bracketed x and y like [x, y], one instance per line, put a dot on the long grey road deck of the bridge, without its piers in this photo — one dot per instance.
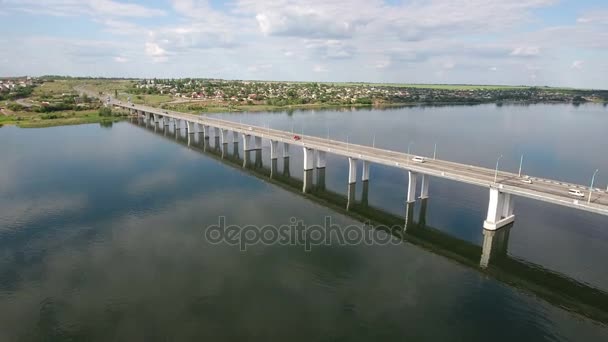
[541, 189]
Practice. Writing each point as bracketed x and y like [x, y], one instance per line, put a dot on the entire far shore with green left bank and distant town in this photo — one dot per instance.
[57, 100]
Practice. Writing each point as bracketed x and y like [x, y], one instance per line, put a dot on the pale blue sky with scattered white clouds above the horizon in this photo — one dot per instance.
[517, 42]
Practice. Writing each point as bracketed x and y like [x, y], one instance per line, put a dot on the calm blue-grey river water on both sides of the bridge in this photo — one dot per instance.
[102, 233]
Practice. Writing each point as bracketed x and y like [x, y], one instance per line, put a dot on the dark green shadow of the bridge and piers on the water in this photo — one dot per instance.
[491, 259]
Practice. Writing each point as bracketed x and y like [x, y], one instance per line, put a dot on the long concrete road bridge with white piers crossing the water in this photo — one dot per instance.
[503, 186]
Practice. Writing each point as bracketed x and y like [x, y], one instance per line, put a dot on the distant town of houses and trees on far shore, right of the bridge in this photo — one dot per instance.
[290, 93]
